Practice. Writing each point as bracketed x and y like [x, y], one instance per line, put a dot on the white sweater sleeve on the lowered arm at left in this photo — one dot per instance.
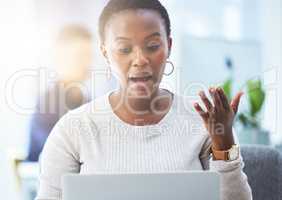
[59, 157]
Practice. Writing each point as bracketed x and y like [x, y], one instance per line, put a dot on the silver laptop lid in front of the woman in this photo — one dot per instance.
[190, 185]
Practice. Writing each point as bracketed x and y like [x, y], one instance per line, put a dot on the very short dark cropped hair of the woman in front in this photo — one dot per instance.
[116, 6]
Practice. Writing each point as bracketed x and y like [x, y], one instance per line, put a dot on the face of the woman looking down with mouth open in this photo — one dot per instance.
[136, 46]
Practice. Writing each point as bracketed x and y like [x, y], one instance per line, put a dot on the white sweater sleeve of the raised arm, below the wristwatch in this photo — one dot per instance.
[233, 181]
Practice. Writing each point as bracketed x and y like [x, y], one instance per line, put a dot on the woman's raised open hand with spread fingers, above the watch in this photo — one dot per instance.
[219, 117]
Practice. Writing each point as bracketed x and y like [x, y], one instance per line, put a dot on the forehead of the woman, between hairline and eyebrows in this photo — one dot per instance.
[135, 24]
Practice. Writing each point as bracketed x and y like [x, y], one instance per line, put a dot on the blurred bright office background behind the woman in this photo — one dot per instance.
[51, 47]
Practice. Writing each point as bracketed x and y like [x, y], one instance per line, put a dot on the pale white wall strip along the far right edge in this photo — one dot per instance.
[271, 20]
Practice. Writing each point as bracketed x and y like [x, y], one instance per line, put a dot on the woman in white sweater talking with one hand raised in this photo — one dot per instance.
[141, 127]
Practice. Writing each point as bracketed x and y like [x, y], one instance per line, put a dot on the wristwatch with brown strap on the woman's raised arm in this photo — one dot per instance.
[228, 155]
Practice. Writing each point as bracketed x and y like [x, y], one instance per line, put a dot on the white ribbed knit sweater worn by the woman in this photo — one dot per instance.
[93, 139]
